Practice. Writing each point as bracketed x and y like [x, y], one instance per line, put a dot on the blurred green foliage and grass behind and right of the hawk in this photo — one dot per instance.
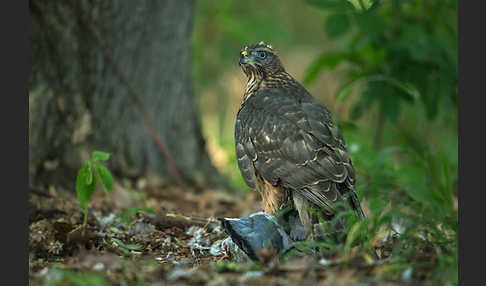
[388, 72]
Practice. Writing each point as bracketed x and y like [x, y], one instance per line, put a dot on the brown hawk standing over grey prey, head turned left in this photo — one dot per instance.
[287, 144]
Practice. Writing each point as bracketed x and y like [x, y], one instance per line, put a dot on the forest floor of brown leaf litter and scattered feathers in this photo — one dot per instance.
[170, 240]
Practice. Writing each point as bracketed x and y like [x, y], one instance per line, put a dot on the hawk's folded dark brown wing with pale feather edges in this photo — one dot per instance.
[294, 142]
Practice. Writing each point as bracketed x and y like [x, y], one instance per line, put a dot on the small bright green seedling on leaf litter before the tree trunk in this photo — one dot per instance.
[91, 172]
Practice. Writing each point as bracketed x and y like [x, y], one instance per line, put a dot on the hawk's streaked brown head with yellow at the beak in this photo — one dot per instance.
[260, 60]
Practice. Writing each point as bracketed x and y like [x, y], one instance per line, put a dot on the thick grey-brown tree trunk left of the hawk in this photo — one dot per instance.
[78, 105]
